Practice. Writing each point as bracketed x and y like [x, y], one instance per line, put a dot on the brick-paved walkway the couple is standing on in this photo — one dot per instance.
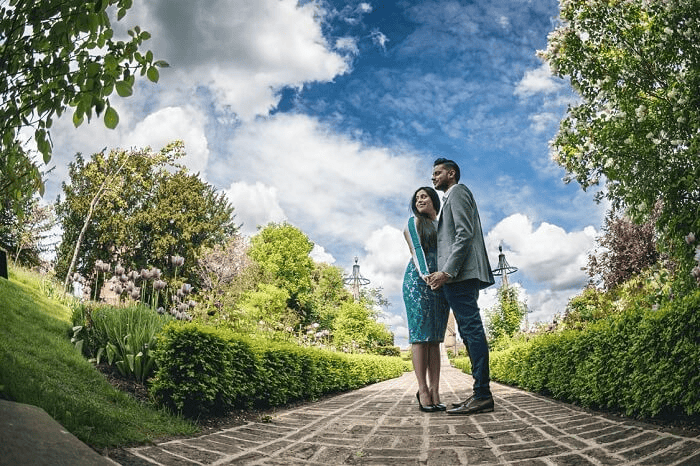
[381, 425]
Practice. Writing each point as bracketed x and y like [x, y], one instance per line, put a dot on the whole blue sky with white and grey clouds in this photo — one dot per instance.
[329, 114]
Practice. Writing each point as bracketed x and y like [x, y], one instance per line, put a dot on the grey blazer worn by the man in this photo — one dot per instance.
[461, 248]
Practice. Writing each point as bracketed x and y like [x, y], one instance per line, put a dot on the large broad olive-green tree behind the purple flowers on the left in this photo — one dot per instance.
[149, 210]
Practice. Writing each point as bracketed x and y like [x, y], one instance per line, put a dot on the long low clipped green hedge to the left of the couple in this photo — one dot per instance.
[202, 370]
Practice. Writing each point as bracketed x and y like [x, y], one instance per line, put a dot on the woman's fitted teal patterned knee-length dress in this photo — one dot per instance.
[426, 310]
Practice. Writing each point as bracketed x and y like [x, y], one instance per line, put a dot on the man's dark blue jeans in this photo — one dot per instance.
[462, 298]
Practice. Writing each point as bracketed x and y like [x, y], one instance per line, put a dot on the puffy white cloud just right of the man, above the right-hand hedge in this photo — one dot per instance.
[547, 255]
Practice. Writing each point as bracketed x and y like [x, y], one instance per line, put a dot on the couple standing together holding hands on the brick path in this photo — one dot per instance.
[449, 266]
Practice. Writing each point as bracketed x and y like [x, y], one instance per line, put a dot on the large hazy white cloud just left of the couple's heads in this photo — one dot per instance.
[333, 186]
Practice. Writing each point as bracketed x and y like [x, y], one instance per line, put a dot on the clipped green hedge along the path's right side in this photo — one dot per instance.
[641, 362]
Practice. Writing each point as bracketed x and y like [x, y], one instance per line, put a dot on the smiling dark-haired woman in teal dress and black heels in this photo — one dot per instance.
[426, 310]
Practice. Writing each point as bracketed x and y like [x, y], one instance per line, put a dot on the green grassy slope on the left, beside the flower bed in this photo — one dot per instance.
[39, 366]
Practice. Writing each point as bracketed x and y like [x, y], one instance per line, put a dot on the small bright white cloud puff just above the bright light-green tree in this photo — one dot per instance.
[255, 205]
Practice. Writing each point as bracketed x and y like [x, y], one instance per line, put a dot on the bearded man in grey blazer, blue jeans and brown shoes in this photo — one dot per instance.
[463, 270]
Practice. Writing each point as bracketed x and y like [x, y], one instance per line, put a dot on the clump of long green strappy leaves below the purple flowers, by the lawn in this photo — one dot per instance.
[125, 336]
